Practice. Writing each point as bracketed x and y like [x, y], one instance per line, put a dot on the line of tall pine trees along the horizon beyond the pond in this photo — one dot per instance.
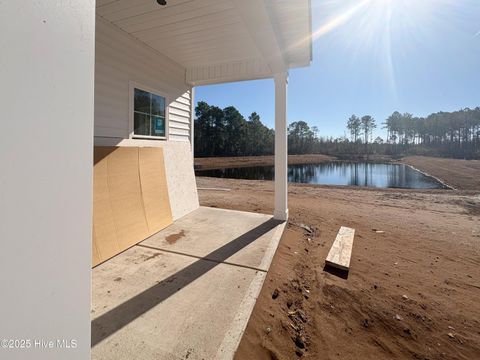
[225, 132]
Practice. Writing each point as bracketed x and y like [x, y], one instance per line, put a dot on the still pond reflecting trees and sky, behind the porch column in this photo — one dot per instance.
[337, 173]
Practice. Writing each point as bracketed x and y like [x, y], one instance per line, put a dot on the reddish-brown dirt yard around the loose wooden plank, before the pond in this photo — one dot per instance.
[414, 284]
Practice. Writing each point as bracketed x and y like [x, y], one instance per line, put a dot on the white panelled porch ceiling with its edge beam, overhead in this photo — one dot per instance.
[219, 40]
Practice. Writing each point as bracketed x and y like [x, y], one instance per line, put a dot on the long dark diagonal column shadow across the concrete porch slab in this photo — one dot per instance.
[120, 316]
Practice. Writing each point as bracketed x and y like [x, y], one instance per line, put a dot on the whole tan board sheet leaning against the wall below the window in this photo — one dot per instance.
[130, 198]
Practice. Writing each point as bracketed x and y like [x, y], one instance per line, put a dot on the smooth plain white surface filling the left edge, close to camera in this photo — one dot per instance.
[46, 112]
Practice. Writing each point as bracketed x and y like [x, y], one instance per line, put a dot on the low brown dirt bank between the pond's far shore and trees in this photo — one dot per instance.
[228, 162]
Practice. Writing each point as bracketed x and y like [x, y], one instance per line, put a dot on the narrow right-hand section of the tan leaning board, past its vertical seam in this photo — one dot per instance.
[154, 189]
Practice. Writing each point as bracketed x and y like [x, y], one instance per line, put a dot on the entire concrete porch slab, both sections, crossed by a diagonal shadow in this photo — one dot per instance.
[183, 296]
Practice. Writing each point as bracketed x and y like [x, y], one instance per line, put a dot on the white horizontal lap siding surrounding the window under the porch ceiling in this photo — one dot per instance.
[121, 59]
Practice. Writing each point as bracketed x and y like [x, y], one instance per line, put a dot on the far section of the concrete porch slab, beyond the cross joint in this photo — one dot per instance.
[206, 230]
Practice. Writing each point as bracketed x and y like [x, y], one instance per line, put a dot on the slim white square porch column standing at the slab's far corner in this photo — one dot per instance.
[281, 151]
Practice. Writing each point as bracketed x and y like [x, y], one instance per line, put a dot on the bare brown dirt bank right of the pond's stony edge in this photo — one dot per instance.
[461, 174]
